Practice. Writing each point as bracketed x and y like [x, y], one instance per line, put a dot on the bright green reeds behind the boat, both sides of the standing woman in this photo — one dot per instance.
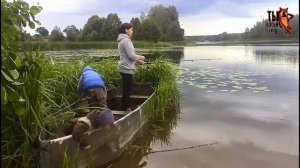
[60, 81]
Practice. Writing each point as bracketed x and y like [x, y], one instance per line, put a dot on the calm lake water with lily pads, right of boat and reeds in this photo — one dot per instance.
[245, 98]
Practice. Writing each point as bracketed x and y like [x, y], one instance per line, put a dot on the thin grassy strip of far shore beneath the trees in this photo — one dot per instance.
[67, 45]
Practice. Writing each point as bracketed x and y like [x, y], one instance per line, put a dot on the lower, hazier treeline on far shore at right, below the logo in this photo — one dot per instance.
[258, 32]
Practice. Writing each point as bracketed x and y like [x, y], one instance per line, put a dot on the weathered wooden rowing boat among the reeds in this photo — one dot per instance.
[105, 145]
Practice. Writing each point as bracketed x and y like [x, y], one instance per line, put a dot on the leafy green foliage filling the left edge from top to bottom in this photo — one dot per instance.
[21, 118]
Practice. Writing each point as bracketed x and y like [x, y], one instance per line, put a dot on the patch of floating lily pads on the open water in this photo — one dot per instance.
[224, 80]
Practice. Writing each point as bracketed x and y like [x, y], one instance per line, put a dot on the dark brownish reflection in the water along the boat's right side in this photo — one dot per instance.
[155, 131]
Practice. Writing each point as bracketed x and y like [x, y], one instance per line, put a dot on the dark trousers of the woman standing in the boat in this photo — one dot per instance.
[127, 82]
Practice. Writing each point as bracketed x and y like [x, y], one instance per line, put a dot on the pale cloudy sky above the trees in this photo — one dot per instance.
[201, 17]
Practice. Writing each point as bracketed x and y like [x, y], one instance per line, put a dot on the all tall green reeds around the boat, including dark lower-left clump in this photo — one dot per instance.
[50, 87]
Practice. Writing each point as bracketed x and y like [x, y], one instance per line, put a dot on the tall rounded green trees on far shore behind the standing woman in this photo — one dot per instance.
[160, 24]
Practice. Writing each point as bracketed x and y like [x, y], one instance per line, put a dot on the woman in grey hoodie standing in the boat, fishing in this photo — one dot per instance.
[128, 58]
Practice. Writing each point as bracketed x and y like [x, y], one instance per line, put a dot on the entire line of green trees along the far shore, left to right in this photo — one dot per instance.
[160, 24]
